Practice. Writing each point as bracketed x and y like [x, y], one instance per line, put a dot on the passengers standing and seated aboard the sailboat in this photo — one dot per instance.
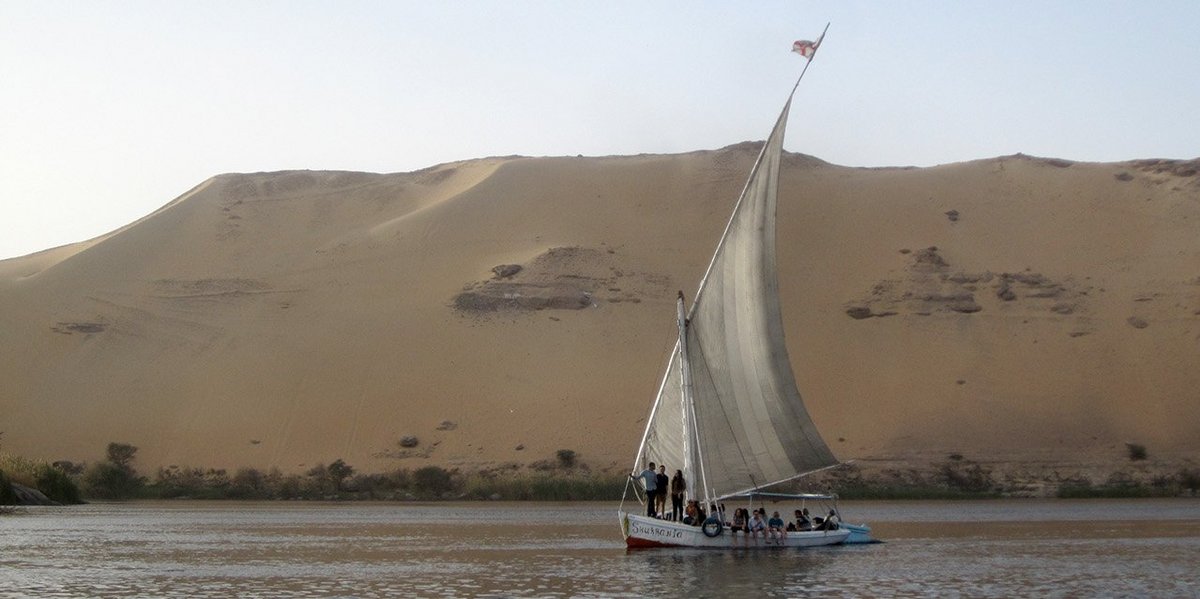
[754, 525]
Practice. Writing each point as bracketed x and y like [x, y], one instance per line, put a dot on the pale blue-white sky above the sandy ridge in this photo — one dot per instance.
[110, 110]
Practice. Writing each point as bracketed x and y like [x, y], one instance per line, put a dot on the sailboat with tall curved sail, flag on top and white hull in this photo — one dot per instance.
[729, 414]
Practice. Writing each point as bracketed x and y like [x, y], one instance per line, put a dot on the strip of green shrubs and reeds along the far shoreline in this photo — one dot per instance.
[568, 480]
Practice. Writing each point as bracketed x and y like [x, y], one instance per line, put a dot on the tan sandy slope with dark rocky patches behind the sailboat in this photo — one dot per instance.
[293, 319]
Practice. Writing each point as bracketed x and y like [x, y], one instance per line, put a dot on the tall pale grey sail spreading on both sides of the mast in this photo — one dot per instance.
[751, 428]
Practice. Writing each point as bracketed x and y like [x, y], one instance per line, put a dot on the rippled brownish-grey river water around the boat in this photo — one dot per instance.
[1003, 549]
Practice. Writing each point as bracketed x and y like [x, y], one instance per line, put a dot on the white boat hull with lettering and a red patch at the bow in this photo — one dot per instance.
[643, 532]
